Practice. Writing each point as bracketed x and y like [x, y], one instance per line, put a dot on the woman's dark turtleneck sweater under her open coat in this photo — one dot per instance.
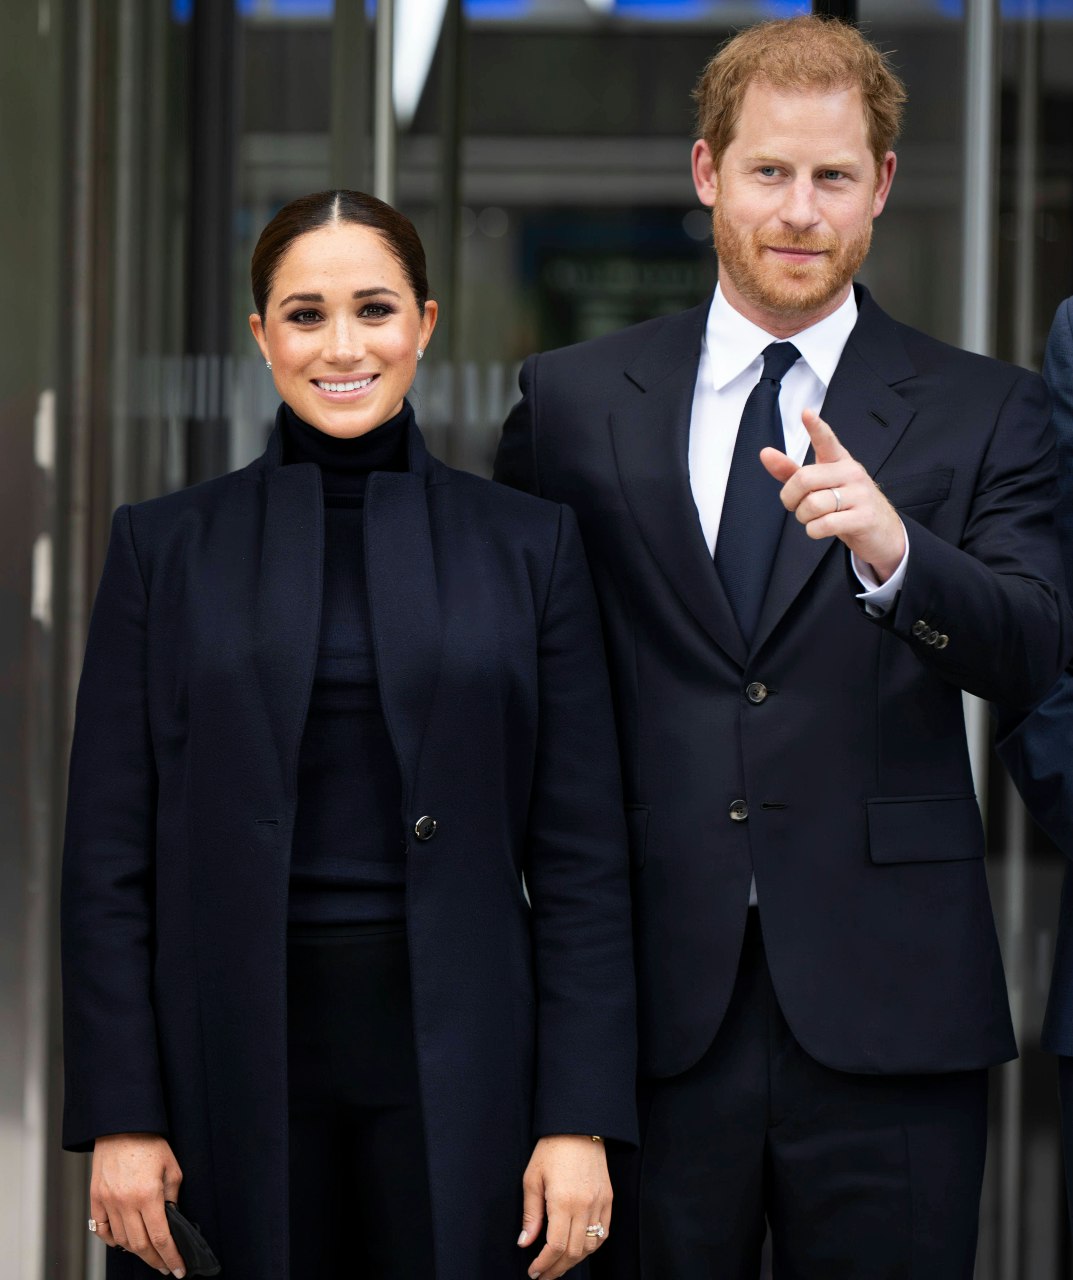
[348, 865]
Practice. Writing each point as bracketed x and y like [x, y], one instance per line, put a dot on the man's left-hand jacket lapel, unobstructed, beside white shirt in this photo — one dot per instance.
[651, 442]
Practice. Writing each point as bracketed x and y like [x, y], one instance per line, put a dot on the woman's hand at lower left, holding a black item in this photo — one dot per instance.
[134, 1176]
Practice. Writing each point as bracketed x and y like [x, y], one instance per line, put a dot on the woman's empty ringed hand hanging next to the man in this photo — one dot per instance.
[569, 1174]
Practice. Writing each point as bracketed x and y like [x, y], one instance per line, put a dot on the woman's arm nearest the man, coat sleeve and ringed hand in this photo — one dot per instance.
[578, 881]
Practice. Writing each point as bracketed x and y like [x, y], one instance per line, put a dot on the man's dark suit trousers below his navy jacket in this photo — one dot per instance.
[859, 1177]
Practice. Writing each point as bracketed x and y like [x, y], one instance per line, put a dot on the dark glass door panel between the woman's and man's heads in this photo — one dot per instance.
[578, 209]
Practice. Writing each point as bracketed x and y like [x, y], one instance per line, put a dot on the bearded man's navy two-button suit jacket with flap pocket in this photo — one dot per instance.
[842, 735]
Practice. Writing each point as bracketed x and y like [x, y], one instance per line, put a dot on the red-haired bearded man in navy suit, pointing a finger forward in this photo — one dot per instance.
[791, 715]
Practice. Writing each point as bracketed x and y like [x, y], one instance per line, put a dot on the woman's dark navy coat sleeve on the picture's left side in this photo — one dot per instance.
[111, 1053]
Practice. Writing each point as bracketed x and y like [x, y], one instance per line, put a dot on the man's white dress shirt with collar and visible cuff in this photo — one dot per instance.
[732, 362]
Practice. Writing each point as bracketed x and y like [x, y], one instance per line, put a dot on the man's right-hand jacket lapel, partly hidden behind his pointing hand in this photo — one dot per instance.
[870, 418]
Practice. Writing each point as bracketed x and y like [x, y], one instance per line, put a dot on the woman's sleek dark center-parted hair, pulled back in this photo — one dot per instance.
[327, 208]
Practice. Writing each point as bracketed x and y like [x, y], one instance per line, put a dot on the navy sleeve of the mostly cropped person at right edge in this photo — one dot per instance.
[1033, 744]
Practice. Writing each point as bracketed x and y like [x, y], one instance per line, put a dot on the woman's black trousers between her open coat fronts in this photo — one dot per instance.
[359, 1178]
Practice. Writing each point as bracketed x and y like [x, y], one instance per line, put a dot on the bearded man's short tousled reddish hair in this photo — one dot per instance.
[798, 54]
